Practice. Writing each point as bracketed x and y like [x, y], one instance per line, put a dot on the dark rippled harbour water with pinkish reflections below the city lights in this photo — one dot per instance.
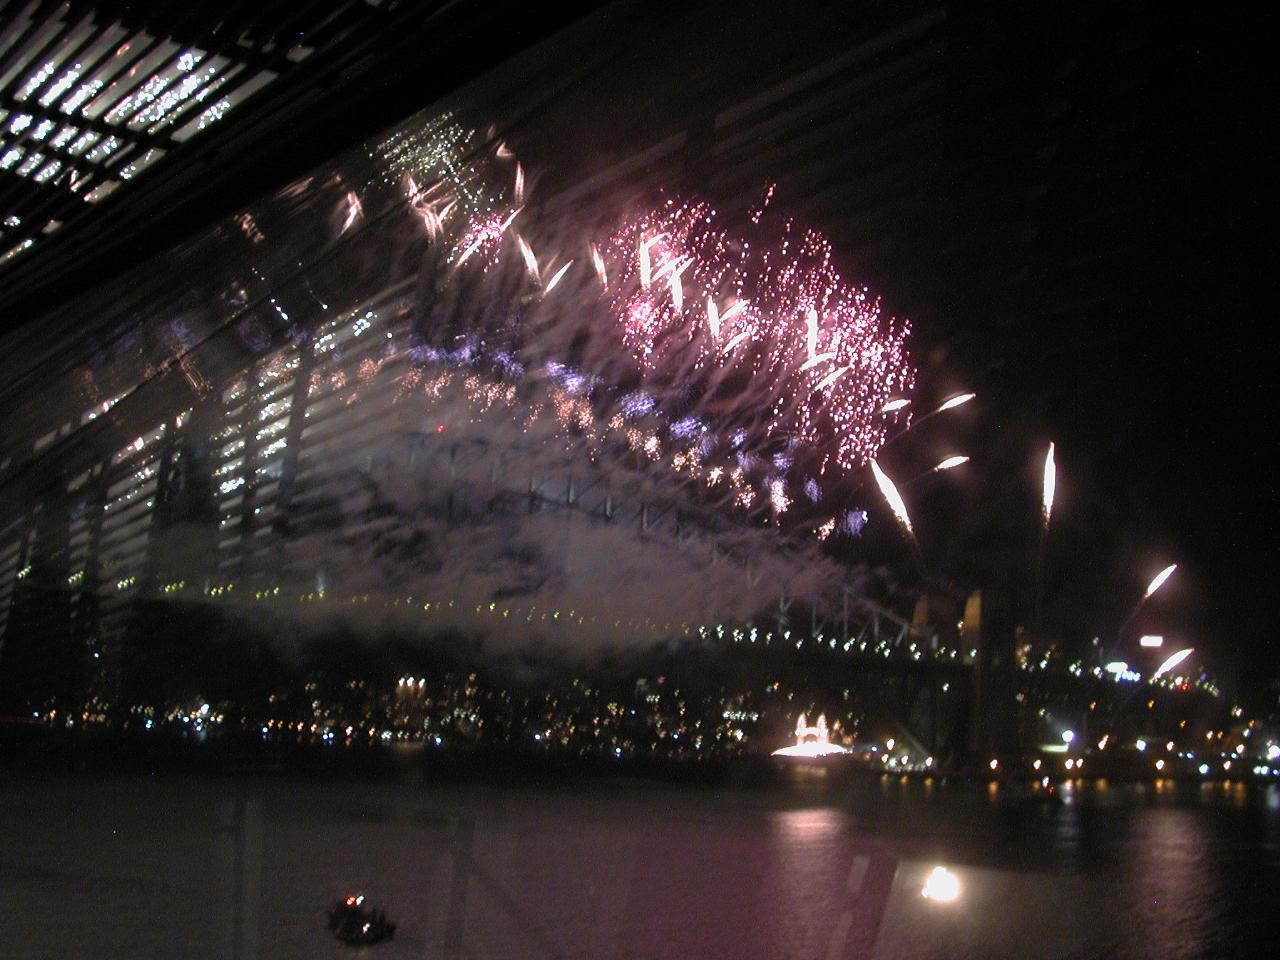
[195, 867]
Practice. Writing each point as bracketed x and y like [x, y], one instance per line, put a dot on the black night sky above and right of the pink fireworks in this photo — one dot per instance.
[1071, 211]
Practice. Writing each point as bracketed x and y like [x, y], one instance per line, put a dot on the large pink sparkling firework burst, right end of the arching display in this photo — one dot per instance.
[772, 318]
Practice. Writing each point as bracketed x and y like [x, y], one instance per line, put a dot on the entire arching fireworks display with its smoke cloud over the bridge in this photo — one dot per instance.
[688, 371]
